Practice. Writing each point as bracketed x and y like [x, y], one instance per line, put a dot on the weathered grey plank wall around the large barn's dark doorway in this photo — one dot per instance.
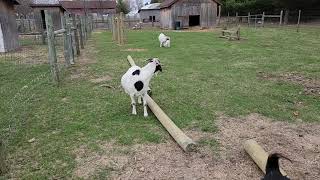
[181, 10]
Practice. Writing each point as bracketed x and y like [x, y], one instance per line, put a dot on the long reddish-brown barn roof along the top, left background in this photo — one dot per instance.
[88, 4]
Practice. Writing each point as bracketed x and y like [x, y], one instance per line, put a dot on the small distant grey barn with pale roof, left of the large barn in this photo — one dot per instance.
[150, 12]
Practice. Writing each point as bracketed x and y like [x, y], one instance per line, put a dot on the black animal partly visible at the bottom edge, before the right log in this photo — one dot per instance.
[272, 168]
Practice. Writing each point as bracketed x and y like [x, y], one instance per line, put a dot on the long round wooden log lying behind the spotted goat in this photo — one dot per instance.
[184, 141]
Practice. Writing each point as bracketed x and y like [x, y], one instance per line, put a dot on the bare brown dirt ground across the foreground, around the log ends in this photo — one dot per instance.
[298, 141]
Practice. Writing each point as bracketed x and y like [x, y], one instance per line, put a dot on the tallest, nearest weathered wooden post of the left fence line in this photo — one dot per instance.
[51, 47]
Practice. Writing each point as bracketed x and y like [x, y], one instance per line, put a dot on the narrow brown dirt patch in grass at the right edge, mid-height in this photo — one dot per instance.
[311, 86]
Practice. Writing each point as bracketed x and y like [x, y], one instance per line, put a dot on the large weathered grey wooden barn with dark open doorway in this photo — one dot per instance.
[188, 13]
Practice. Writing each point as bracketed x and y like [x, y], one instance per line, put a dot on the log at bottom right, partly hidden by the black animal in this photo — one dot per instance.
[258, 154]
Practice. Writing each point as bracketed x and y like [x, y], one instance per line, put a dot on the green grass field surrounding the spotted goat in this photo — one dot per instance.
[203, 76]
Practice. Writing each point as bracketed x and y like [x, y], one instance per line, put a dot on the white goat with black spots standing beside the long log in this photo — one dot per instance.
[136, 80]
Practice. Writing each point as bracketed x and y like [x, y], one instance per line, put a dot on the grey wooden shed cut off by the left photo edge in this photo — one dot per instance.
[8, 26]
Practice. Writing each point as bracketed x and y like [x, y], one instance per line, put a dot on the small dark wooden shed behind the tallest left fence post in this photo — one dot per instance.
[54, 8]
